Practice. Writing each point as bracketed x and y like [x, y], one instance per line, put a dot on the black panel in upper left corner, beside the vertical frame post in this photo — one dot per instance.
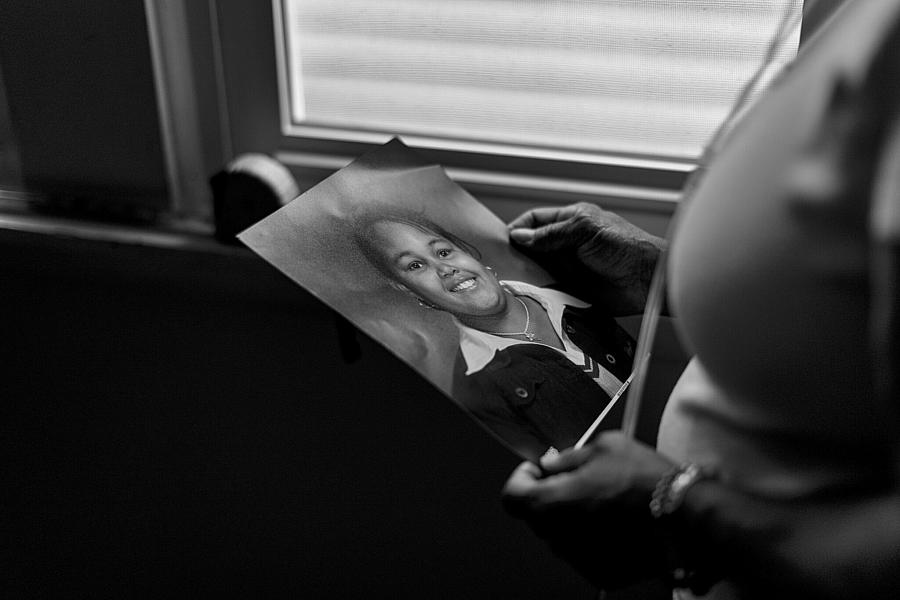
[80, 88]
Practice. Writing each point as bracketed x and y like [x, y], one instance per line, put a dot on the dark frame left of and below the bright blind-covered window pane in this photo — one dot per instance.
[248, 35]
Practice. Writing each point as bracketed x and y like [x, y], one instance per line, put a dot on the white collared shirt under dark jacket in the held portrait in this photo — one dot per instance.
[478, 348]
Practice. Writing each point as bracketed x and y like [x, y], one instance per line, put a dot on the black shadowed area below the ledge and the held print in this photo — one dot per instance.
[185, 422]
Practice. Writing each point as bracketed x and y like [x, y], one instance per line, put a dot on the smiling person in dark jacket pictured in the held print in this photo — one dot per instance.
[518, 369]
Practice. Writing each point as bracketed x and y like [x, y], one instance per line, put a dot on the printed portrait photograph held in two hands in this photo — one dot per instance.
[415, 262]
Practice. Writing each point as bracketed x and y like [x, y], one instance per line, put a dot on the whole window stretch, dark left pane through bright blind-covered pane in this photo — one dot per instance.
[521, 100]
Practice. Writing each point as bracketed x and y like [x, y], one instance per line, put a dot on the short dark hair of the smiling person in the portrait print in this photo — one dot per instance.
[365, 240]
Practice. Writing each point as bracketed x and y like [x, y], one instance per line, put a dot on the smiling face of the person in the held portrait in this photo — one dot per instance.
[439, 272]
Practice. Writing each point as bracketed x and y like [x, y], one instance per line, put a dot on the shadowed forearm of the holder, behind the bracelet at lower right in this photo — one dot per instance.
[836, 549]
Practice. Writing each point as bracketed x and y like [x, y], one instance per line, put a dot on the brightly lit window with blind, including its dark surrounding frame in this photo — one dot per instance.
[521, 100]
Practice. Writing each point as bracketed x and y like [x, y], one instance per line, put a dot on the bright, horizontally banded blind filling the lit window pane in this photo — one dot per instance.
[645, 77]
